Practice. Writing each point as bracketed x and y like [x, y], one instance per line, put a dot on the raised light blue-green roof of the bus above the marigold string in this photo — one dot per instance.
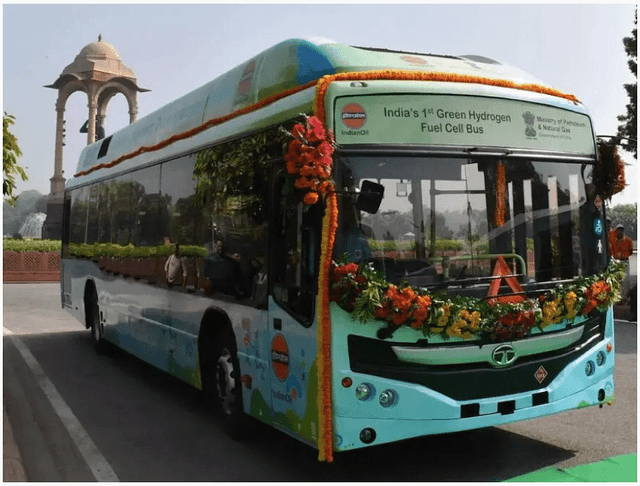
[283, 67]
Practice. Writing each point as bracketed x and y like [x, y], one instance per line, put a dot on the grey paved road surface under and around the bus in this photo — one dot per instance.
[147, 426]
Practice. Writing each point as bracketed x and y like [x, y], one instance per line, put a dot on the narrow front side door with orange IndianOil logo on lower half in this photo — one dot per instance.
[295, 250]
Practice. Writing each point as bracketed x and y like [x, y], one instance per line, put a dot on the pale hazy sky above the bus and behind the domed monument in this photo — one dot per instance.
[174, 49]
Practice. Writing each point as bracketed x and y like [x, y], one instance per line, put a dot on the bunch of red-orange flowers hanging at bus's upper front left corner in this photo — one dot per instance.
[310, 158]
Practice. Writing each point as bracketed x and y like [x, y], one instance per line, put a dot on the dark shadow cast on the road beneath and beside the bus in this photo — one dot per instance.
[153, 427]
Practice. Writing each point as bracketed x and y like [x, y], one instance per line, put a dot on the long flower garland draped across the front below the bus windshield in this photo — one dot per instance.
[364, 293]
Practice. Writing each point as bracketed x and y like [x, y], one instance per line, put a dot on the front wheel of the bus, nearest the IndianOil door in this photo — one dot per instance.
[228, 387]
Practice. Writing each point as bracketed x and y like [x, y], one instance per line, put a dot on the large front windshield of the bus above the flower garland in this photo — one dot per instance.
[443, 221]
